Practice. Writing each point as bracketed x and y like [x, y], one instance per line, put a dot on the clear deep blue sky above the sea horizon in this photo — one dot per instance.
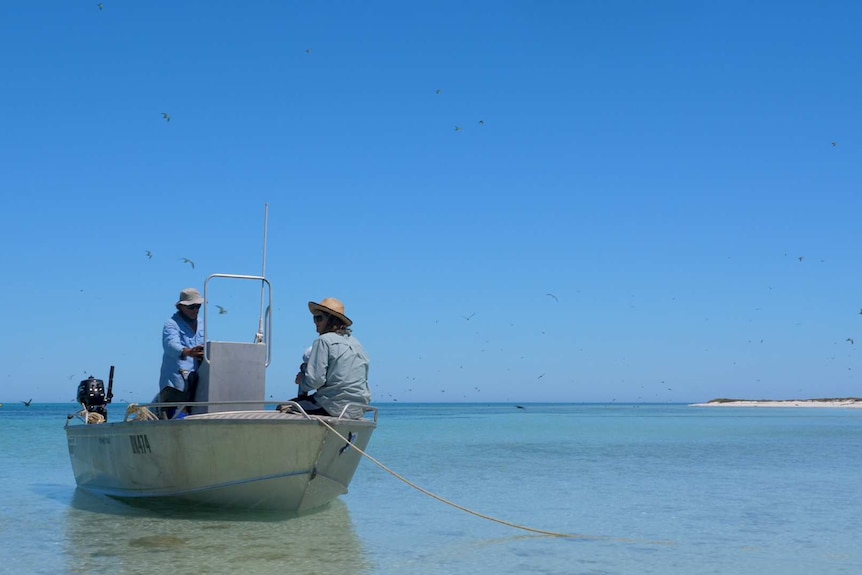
[659, 167]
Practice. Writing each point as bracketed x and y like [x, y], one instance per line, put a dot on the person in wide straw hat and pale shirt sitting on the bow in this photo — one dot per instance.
[336, 372]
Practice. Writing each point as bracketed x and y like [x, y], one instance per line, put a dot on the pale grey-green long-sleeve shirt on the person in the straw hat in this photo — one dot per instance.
[338, 374]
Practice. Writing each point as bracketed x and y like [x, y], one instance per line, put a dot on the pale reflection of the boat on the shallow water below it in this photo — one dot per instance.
[108, 536]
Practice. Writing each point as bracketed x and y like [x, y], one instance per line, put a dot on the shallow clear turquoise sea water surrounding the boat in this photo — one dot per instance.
[650, 489]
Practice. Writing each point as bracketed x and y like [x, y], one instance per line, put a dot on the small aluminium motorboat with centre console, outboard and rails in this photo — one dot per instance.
[227, 448]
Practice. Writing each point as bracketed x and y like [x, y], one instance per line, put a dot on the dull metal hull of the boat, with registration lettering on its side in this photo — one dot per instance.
[272, 461]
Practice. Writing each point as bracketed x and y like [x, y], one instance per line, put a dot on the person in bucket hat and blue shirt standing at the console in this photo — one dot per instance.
[182, 342]
